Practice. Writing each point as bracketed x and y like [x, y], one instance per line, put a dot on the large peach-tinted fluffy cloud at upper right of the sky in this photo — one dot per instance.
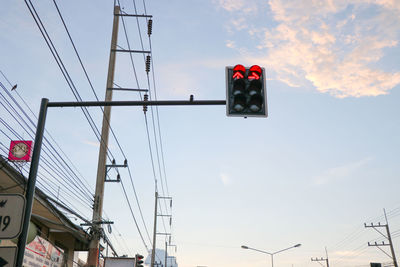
[334, 46]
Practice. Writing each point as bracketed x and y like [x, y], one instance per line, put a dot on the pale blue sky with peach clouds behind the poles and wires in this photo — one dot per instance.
[322, 164]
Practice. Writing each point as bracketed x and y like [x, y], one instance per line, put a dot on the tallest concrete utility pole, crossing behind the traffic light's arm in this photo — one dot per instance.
[93, 256]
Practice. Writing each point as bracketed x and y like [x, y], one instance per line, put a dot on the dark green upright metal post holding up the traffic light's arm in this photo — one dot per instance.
[30, 193]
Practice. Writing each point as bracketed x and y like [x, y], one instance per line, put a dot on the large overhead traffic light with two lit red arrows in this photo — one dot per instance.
[246, 91]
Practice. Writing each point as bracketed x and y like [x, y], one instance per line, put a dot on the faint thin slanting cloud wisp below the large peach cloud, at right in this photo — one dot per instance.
[340, 172]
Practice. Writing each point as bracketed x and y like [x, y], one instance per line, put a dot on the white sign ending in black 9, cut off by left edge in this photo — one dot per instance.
[12, 207]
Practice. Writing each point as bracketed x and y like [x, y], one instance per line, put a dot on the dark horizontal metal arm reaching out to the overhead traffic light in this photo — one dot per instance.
[137, 103]
